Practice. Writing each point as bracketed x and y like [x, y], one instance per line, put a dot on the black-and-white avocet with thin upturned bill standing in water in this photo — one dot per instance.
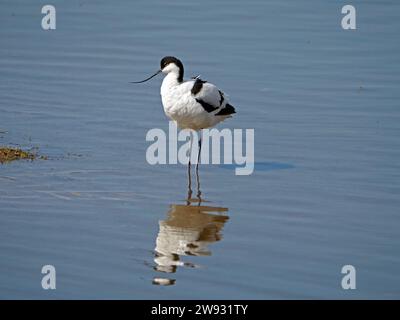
[193, 104]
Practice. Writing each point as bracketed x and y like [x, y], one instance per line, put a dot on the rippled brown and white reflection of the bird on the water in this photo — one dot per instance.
[188, 230]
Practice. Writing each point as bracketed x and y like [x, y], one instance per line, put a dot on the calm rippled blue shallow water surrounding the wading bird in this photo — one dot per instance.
[325, 192]
